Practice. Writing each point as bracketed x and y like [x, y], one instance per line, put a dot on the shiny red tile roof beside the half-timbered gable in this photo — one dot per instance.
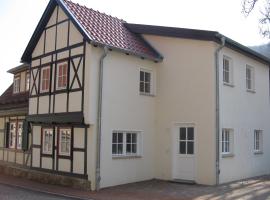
[110, 31]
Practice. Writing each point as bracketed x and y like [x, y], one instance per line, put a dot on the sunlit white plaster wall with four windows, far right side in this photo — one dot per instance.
[244, 111]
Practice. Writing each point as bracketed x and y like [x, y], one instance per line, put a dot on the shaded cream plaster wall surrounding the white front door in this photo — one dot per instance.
[185, 94]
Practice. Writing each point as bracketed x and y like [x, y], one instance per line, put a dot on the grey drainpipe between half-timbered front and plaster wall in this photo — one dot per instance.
[99, 116]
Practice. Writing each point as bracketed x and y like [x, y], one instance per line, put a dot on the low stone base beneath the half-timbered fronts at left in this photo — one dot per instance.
[43, 177]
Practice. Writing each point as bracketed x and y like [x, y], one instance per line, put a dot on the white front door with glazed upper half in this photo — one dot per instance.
[184, 152]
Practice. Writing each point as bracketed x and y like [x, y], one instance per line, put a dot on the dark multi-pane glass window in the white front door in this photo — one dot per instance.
[186, 140]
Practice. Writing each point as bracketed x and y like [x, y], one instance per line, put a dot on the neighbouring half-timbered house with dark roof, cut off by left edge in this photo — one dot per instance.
[14, 136]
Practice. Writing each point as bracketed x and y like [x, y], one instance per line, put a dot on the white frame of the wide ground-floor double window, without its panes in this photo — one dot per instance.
[124, 144]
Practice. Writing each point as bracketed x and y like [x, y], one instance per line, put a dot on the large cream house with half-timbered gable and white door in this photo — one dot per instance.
[115, 103]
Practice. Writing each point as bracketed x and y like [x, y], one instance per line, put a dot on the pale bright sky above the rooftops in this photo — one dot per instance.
[19, 18]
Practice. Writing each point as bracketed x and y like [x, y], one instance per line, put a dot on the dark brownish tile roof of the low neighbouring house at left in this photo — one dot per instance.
[8, 100]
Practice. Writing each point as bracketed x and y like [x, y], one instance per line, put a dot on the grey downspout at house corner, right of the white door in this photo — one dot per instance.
[217, 107]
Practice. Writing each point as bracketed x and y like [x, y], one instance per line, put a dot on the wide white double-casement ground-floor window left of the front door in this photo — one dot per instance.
[125, 143]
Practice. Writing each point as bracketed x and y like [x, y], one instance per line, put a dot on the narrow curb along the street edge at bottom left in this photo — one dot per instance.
[45, 192]
